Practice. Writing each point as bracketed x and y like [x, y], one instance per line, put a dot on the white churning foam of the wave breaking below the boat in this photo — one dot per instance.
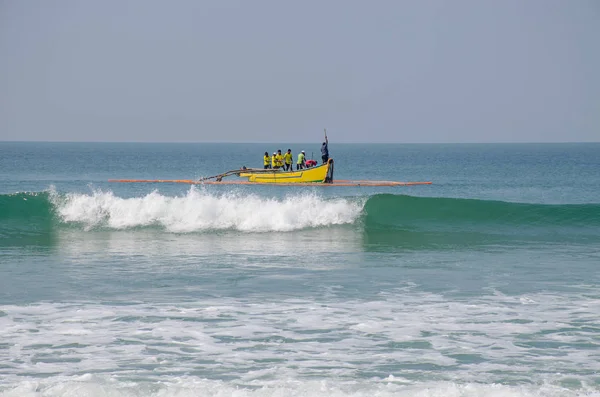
[200, 210]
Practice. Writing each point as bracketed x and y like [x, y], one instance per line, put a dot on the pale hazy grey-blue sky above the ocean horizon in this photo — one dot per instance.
[281, 71]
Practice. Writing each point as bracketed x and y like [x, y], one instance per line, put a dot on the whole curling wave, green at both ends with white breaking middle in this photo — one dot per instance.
[384, 218]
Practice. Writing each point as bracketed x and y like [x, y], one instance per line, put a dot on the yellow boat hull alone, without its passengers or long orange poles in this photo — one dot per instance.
[319, 174]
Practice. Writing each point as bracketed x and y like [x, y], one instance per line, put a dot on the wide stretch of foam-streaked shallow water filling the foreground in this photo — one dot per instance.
[404, 343]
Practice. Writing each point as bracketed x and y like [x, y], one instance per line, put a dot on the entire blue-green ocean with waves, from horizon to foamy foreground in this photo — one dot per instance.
[485, 283]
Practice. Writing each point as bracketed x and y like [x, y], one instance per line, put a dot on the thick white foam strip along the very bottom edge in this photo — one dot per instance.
[94, 386]
